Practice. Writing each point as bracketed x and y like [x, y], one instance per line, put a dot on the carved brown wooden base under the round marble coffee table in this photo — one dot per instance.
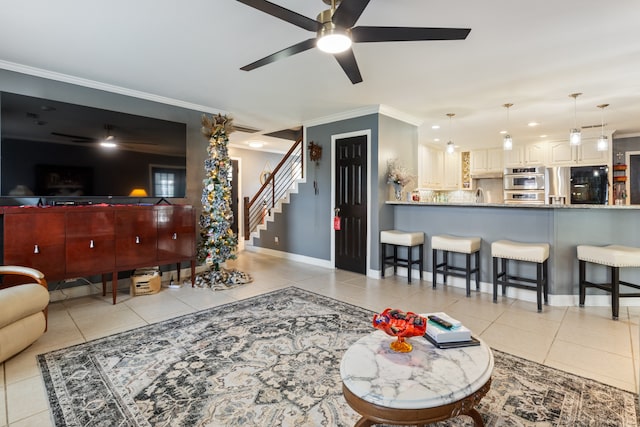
[376, 414]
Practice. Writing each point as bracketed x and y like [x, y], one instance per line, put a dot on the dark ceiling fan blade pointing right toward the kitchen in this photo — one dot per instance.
[404, 34]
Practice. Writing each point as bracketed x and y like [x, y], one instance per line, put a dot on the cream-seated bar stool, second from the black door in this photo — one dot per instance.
[464, 245]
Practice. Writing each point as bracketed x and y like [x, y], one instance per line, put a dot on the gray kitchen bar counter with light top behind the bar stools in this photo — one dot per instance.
[562, 226]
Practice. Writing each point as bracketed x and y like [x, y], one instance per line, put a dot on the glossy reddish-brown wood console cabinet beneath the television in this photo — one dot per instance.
[76, 241]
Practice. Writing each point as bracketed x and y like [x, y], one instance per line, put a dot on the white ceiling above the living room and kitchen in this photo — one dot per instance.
[531, 54]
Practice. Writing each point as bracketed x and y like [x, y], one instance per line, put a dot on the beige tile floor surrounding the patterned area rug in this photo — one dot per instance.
[583, 341]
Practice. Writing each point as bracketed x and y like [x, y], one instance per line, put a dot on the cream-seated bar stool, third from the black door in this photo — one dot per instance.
[537, 253]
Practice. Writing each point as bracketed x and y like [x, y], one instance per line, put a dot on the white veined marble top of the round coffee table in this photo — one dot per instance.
[426, 377]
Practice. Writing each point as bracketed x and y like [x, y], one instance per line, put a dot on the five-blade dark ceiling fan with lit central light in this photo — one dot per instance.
[337, 25]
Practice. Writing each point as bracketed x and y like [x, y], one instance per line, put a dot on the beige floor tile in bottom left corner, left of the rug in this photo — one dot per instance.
[26, 398]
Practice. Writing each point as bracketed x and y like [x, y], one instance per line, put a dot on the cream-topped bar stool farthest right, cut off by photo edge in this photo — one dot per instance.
[614, 257]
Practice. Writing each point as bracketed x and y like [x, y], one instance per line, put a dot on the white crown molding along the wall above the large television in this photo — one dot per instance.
[92, 84]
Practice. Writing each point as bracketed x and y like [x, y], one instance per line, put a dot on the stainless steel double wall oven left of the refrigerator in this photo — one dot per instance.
[524, 185]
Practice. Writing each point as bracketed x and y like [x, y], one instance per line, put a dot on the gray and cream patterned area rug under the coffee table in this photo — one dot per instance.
[273, 360]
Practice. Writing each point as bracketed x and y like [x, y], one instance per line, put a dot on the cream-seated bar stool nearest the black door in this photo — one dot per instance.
[401, 238]
